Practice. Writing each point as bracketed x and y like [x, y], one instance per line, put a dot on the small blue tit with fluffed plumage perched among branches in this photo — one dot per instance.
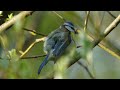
[57, 42]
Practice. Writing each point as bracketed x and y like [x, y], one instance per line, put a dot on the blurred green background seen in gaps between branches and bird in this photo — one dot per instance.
[15, 39]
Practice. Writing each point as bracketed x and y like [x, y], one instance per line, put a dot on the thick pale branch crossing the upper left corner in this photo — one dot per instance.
[12, 21]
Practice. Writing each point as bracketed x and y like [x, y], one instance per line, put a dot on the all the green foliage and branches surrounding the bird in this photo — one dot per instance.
[95, 54]
